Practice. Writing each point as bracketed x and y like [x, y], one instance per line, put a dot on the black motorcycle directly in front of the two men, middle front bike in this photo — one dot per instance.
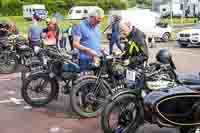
[89, 95]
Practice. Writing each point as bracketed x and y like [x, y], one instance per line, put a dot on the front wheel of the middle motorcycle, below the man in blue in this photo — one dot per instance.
[88, 97]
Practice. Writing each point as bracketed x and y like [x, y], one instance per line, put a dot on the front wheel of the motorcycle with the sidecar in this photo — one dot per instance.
[129, 111]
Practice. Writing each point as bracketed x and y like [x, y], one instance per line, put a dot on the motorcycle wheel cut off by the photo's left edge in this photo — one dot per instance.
[8, 63]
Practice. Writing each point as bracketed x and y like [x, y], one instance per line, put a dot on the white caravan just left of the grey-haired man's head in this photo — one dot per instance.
[80, 12]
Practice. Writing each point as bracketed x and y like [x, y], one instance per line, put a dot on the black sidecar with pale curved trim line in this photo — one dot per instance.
[175, 107]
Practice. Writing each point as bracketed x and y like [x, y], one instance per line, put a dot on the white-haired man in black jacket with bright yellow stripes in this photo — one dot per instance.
[136, 49]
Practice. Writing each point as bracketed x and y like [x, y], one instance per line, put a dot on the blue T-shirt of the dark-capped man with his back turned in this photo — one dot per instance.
[35, 32]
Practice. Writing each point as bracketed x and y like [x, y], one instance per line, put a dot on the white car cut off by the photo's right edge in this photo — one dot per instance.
[188, 37]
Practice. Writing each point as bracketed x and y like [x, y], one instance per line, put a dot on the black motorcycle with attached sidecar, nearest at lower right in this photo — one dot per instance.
[175, 106]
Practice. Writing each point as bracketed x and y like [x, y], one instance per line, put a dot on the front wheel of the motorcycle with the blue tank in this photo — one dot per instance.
[51, 92]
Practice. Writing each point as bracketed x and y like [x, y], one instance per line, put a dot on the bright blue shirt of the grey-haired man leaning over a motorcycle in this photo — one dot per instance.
[90, 37]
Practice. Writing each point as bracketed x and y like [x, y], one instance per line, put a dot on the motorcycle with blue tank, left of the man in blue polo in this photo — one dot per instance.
[42, 87]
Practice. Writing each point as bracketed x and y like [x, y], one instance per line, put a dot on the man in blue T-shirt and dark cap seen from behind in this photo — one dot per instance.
[35, 32]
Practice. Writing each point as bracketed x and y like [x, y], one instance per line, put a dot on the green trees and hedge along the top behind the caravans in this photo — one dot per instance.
[14, 7]
